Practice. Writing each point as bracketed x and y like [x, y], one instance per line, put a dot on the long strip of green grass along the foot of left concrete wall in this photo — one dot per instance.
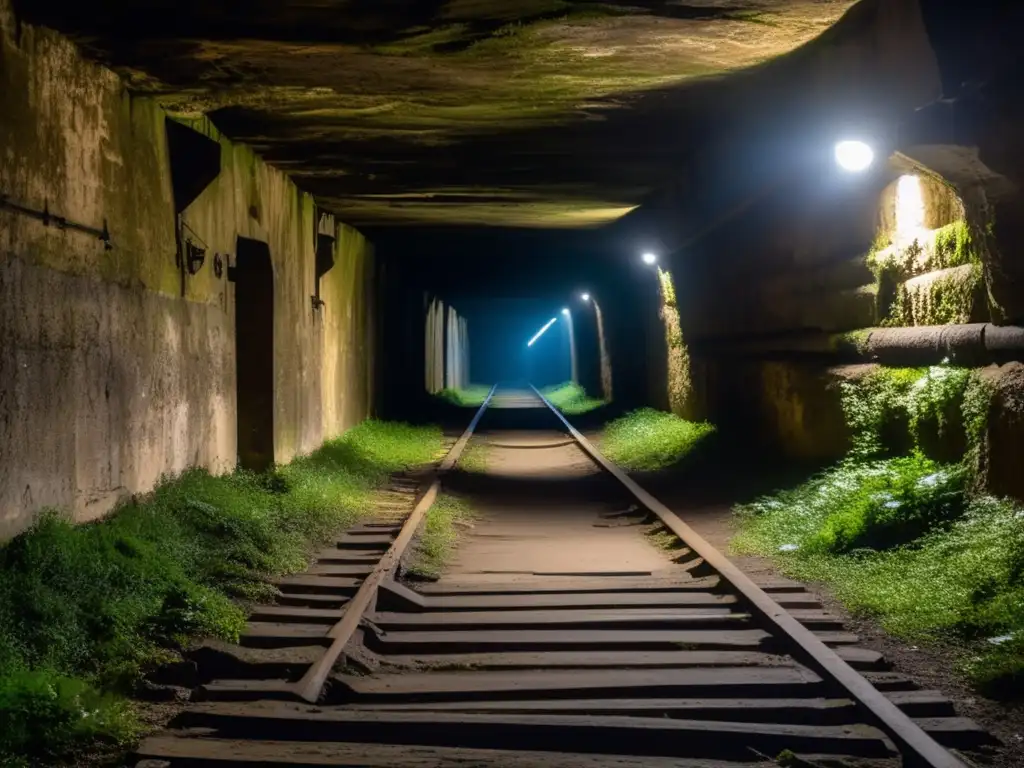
[87, 610]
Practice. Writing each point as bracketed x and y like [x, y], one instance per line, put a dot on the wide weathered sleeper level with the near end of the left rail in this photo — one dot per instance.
[710, 682]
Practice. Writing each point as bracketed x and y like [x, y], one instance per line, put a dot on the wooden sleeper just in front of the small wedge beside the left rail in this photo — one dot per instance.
[699, 618]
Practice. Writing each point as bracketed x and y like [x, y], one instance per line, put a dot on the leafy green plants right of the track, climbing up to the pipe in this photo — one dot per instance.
[905, 538]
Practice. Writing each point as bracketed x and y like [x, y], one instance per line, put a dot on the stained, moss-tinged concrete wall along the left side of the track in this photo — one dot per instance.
[118, 367]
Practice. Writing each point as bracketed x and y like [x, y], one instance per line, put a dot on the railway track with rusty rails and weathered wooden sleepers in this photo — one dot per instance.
[690, 666]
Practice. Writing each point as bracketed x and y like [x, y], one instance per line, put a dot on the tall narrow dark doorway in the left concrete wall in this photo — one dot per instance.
[253, 277]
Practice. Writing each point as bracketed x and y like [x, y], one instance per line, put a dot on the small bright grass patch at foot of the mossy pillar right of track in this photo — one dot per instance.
[650, 440]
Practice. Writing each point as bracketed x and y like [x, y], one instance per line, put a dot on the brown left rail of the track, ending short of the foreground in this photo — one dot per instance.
[312, 685]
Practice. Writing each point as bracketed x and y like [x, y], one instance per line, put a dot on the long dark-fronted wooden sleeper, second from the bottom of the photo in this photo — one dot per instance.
[611, 736]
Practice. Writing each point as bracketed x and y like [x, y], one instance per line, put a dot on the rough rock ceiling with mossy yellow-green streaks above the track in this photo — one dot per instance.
[513, 113]
